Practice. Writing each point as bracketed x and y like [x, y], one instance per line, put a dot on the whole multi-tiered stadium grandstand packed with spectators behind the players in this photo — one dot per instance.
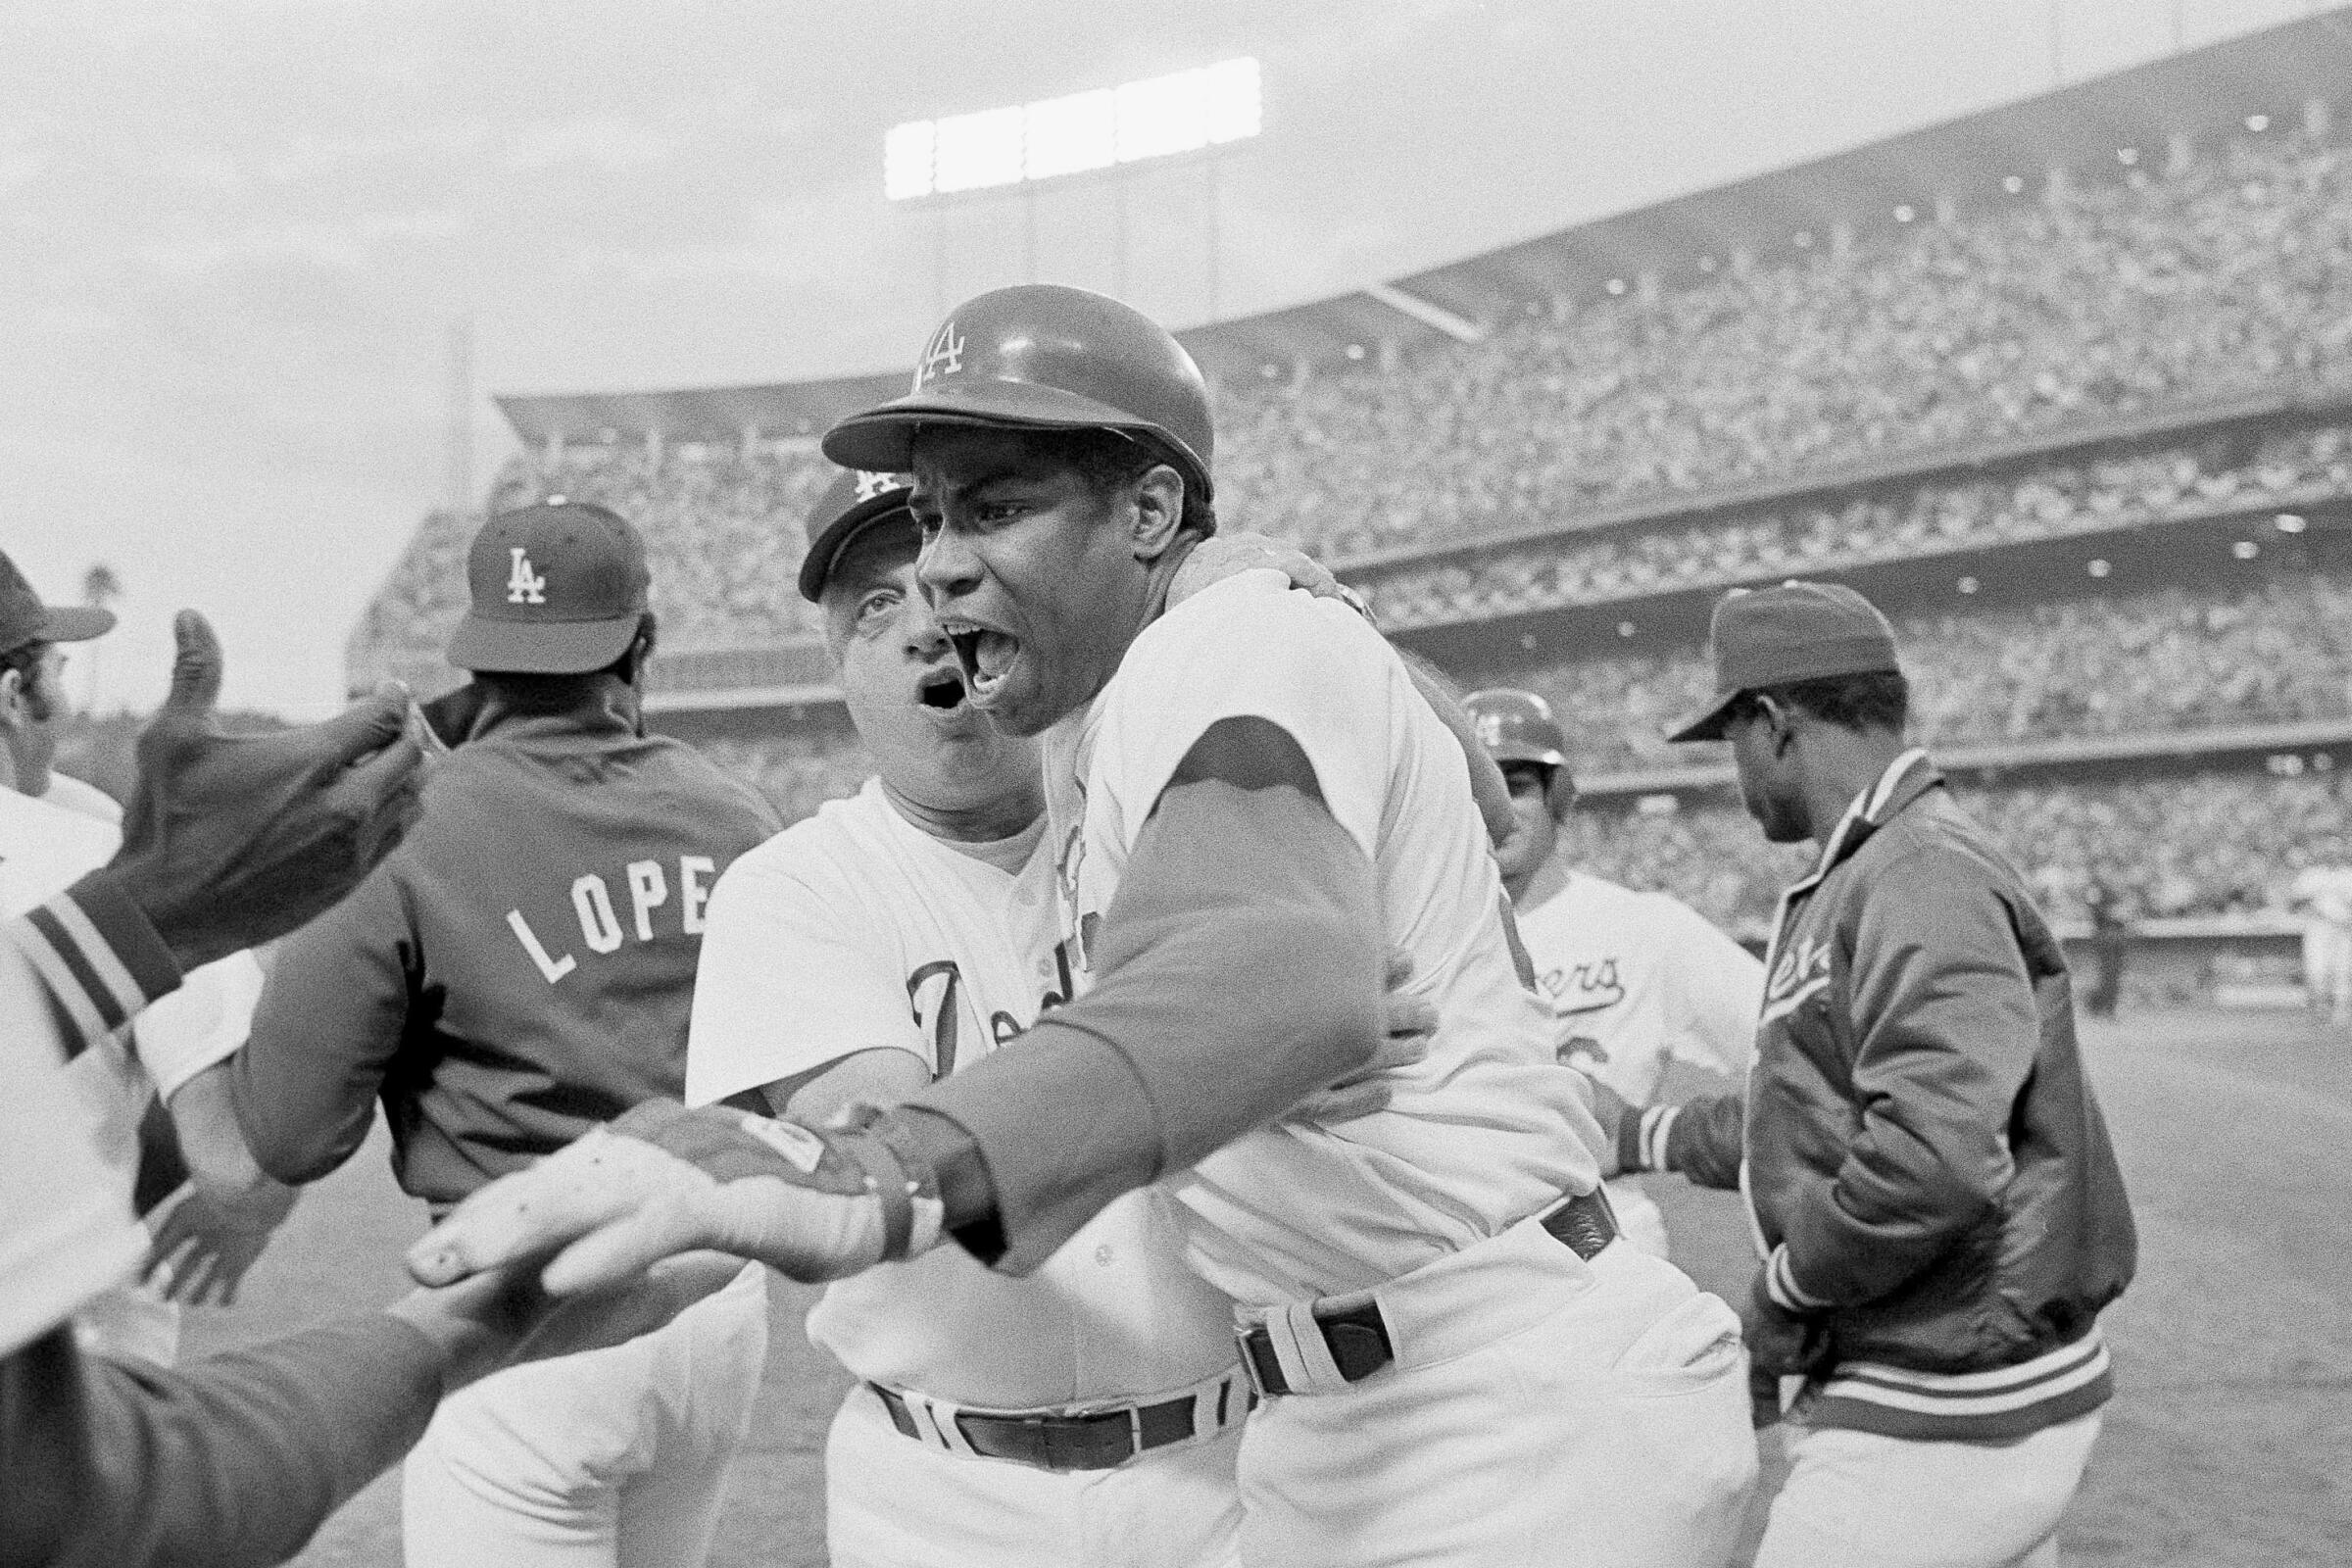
[2066, 387]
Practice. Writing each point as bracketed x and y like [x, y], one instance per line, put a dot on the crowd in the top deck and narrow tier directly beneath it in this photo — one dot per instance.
[2087, 302]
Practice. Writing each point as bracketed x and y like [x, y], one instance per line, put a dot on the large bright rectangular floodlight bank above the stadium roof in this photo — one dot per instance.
[1088, 130]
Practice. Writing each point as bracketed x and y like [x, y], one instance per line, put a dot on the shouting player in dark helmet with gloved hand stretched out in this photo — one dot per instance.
[1250, 808]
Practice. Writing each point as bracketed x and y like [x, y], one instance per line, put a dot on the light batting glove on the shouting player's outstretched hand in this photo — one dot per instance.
[664, 1181]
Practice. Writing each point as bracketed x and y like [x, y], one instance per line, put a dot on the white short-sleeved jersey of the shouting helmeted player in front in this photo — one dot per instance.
[1488, 1130]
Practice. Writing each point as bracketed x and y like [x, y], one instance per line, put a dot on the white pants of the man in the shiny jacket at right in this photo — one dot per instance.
[1866, 1501]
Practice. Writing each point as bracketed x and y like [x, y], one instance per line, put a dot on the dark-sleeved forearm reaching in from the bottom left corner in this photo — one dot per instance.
[229, 1461]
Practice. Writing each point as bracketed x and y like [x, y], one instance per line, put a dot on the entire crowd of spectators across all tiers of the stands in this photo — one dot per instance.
[2097, 300]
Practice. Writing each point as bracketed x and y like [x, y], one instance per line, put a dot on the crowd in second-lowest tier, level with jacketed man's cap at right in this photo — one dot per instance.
[2264, 652]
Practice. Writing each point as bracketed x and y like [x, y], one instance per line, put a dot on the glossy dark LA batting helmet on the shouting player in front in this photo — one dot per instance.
[1043, 359]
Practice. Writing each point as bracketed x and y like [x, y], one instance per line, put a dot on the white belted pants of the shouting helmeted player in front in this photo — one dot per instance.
[1542, 1409]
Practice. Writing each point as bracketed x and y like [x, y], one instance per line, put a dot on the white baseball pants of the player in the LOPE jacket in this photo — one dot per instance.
[615, 1459]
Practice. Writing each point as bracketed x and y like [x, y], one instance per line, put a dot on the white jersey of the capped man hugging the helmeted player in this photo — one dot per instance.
[855, 930]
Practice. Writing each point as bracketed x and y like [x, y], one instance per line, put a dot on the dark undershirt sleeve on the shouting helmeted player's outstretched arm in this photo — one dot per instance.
[1241, 970]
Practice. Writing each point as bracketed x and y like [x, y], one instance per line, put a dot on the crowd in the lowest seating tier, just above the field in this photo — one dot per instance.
[2221, 843]
